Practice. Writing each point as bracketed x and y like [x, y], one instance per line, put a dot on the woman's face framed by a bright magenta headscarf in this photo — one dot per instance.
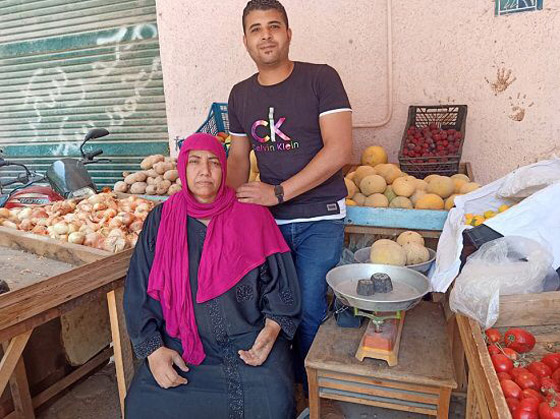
[204, 175]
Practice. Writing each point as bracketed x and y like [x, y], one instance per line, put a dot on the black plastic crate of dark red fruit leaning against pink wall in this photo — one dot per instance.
[445, 117]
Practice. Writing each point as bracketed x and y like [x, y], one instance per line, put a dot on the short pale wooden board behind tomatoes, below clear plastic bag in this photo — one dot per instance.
[529, 309]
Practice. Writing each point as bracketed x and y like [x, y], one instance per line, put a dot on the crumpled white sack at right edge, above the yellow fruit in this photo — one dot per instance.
[527, 180]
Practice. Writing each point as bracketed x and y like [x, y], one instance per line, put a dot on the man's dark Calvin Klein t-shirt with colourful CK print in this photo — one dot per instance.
[282, 123]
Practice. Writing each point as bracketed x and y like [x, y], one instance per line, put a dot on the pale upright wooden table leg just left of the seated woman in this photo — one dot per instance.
[121, 344]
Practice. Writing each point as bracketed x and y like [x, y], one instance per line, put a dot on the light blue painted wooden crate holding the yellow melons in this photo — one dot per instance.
[359, 219]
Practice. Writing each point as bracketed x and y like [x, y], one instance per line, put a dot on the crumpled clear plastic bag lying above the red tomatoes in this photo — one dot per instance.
[505, 266]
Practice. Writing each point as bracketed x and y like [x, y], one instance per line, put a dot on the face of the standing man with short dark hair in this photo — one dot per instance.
[267, 38]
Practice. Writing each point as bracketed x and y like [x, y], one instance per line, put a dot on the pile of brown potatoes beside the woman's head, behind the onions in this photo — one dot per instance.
[159, 176]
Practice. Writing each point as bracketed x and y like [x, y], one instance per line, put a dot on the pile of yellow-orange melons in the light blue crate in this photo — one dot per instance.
[383, 185]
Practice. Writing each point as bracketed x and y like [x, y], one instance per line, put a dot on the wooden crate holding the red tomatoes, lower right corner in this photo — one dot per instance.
[538, 313]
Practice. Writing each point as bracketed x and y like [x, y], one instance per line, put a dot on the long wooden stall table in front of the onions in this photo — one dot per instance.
[22, 310]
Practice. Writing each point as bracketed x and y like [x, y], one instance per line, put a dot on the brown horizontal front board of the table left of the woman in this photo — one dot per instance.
[25, 303]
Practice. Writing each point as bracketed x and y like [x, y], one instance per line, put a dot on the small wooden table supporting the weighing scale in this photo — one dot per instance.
[421, 382]
